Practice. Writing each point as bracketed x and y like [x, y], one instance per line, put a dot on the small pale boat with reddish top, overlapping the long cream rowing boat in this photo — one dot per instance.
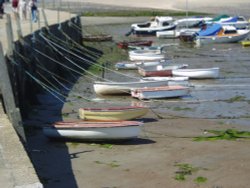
[159, 92]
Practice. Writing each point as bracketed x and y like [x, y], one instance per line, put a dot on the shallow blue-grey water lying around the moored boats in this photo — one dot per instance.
[226, 98]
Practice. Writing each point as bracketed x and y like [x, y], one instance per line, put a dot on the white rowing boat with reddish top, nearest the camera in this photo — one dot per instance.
[94, 131]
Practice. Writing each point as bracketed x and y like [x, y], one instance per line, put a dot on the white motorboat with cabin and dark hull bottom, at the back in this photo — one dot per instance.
[158, 23]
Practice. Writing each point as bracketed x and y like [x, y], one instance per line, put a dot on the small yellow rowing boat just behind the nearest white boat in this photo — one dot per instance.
[112, 114]
